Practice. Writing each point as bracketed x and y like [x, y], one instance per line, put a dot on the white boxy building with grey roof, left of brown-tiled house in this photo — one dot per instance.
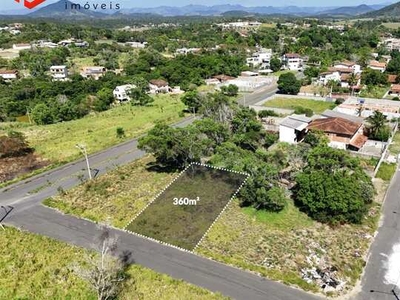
[293, 128]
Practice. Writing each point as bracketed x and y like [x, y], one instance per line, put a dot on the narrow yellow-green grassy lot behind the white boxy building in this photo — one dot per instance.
[291, 103]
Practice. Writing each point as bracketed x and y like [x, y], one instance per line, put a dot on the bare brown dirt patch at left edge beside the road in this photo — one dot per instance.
[12, 167]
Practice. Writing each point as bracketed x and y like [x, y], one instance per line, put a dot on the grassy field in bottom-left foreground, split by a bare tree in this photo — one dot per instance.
[31, 268]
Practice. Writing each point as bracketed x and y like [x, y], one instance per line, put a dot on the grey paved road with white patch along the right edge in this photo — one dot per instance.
[379, 258]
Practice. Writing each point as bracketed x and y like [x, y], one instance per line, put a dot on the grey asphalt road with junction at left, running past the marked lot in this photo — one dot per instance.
[28, 213]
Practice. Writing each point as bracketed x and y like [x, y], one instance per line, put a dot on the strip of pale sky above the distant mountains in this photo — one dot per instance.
[11, 4]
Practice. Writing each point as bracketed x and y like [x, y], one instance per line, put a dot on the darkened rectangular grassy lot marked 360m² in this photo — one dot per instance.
[206, 192]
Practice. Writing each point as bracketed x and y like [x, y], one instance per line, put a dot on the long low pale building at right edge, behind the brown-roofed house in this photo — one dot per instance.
[366, 107]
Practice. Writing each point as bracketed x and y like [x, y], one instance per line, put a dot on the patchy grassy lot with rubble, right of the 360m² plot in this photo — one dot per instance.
[280, 245]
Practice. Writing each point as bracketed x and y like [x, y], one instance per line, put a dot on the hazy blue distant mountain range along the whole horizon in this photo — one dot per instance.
[58, 10]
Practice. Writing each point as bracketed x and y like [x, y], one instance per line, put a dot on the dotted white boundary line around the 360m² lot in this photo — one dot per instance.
[163, 190]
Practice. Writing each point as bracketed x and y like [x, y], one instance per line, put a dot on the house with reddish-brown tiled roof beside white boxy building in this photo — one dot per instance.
[342, 133]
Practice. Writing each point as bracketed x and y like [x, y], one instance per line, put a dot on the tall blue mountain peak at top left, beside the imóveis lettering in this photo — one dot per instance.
[58, 10]
